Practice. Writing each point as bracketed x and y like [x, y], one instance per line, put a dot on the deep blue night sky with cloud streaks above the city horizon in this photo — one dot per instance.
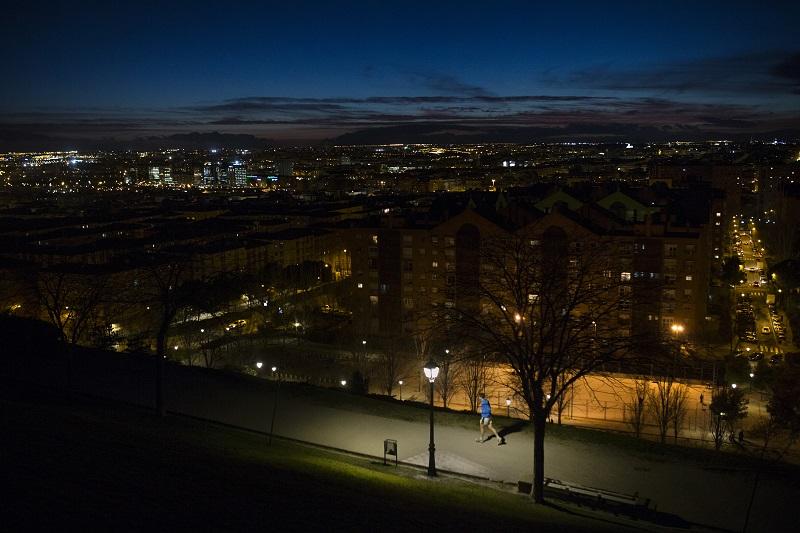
[308, 71]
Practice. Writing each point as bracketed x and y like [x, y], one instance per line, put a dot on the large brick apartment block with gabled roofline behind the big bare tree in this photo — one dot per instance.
[404, 270]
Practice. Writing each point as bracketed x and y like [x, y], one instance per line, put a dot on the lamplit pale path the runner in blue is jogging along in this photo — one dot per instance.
[698, 493]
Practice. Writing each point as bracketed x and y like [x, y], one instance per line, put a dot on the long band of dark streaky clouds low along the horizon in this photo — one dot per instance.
[486, 117]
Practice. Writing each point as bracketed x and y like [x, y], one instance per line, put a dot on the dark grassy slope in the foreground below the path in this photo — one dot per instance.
[83, 465]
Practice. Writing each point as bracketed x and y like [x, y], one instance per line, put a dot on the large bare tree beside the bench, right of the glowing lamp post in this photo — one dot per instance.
[549, 305]
